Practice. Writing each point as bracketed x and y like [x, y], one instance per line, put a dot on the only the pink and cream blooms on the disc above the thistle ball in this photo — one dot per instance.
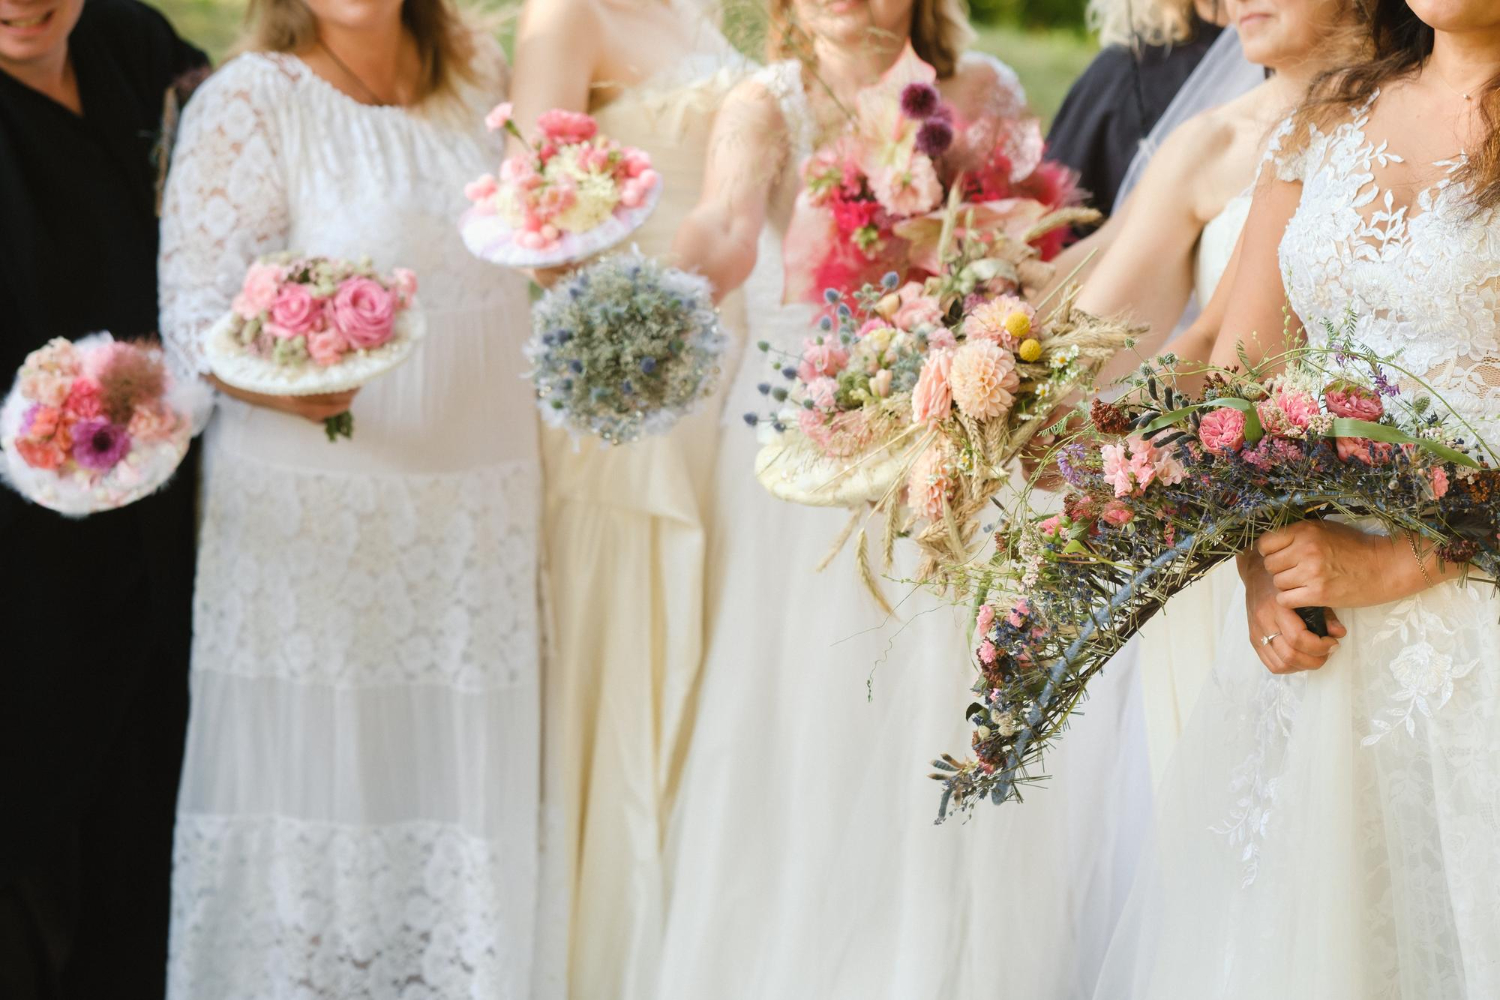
[569, 181]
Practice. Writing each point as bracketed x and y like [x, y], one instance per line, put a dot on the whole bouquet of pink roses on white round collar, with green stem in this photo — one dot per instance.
[305, 326]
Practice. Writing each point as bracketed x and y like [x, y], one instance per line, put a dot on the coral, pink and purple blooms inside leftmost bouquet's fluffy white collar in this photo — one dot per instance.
[91, 407]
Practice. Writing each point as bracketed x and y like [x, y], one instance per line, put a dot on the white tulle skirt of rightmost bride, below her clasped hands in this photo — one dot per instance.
[1333, 834]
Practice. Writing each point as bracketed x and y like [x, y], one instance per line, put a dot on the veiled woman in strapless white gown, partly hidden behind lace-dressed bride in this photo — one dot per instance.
[1174, 244]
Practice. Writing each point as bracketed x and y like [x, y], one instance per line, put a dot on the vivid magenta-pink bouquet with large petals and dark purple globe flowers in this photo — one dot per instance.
[874, 199]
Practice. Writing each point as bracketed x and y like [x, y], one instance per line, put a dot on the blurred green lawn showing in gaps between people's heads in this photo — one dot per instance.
[1048, 62]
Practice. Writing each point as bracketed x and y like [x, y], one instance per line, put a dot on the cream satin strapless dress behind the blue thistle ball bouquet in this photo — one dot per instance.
[626, 543]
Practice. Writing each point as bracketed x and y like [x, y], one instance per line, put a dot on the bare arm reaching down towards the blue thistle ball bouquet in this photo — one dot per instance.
[746, 155]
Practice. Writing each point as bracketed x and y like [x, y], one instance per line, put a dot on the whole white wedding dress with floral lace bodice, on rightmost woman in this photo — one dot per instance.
[1337, 834]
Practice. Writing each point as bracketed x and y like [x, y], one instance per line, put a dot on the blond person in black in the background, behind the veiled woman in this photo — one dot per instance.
[1127, 88]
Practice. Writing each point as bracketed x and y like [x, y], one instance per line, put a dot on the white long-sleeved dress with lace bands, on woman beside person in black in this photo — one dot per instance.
[359, 804]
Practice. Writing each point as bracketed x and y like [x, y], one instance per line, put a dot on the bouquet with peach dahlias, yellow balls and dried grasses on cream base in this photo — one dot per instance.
[916, 398]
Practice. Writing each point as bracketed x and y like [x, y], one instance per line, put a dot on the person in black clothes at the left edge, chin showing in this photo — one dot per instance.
[98, 611]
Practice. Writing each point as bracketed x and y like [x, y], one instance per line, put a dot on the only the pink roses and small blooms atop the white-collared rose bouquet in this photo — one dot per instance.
[334, 308]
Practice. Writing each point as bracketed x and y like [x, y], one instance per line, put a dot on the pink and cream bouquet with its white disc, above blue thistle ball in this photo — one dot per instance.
[571, 196]
